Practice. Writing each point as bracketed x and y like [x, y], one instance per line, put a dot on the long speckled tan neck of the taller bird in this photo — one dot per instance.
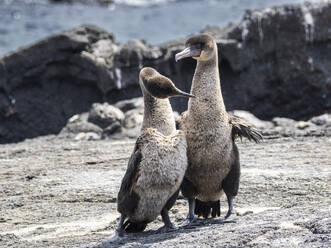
[207, 89]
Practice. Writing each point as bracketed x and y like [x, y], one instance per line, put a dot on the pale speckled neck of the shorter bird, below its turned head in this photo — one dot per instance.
[158, 114]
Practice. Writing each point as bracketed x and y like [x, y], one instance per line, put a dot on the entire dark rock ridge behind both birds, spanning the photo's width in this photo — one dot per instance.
[274, 63]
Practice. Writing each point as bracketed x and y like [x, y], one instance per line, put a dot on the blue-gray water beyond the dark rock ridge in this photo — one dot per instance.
[156, 21]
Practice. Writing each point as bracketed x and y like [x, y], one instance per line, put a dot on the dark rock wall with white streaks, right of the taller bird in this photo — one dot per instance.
[275, 63]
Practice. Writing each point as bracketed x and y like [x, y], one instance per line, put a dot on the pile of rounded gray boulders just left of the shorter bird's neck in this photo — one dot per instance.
[105, 121]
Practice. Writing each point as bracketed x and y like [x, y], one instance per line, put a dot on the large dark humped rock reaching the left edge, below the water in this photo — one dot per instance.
[51, 81]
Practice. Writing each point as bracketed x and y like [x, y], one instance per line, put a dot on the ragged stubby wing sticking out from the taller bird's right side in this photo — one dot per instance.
[241, 128]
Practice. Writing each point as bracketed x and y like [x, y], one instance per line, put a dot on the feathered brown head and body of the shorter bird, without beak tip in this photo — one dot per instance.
[158, 162]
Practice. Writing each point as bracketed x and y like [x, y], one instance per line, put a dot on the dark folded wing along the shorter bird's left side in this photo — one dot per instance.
[127, 199]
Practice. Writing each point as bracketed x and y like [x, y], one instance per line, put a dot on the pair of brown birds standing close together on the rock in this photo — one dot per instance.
[201, 159]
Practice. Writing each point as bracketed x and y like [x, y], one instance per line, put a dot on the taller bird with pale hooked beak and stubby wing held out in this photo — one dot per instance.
[213, 158]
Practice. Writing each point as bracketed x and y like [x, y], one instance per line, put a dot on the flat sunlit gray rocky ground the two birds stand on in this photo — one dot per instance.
[58, 191]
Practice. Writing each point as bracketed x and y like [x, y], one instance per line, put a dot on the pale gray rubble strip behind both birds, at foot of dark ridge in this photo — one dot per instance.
[105, 121]
